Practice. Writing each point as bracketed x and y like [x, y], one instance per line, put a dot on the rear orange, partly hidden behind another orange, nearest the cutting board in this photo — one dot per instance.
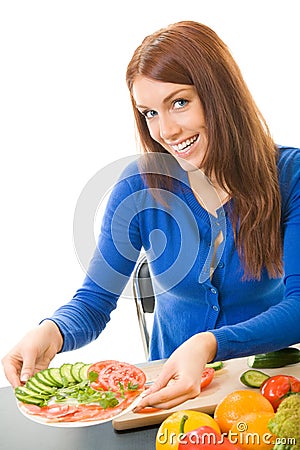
[237, 404]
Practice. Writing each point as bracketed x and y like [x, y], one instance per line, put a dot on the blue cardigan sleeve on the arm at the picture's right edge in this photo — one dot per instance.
[277, 327]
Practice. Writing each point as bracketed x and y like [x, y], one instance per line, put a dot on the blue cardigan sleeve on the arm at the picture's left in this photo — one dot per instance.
[86, 315]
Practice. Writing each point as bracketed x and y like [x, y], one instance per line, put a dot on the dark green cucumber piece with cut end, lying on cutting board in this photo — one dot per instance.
[272, 360]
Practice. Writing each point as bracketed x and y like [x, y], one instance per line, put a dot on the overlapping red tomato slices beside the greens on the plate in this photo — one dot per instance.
[115, 375]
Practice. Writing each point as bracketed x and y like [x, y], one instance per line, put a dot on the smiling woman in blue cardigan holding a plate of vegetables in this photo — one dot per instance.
[216, 206]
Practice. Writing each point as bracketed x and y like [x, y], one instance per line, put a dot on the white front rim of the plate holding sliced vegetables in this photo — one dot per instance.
[45, 421]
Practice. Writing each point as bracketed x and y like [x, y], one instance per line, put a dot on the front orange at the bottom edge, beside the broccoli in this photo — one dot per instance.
[251, 431]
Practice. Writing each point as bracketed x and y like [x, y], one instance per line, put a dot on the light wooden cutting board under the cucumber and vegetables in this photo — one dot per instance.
[226, 380]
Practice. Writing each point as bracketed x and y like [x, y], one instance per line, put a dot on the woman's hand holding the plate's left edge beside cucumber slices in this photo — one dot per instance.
[33, 353]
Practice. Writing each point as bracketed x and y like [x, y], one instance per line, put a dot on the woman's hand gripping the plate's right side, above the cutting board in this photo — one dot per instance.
[180, 377]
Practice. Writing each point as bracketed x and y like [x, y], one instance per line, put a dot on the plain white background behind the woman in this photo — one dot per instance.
[65, 113]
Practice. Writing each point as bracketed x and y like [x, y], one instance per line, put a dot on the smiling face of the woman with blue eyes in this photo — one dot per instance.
[175, 118]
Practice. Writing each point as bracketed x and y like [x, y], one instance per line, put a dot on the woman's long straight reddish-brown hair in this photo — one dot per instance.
[241, 153]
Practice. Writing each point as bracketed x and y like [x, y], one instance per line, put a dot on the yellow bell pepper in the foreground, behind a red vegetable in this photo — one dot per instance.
[167, 437]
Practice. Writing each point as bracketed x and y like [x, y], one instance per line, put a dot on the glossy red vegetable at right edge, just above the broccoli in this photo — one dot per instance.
[276, 388]
